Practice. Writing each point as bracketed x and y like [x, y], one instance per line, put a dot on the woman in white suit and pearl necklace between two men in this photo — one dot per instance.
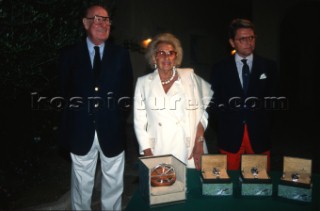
[169, 105]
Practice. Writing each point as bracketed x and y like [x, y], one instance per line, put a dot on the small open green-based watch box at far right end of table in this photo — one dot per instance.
[295, 182]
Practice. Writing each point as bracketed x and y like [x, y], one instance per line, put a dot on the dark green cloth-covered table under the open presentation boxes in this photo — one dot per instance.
[196, 201]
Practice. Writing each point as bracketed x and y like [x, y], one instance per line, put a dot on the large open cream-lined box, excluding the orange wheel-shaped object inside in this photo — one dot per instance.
[162, 194]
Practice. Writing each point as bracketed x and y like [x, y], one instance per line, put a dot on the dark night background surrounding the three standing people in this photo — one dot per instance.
[32, 32]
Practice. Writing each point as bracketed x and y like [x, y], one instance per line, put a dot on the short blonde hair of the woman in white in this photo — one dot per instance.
[164, 38]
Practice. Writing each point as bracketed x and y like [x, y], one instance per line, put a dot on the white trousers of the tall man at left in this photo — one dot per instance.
[83, 174]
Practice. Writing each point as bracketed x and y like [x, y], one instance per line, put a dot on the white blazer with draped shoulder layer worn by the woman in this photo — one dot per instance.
[167, 122]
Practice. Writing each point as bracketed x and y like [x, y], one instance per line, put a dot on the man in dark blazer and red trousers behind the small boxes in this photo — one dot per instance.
[242, 84]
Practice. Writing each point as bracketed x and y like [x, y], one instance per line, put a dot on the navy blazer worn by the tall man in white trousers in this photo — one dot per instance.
[90, 105]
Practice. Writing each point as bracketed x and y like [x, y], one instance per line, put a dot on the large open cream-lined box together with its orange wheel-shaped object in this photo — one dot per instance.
[162, 179]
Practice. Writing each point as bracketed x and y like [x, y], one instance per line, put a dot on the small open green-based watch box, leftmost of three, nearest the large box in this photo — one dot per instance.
[214, 177]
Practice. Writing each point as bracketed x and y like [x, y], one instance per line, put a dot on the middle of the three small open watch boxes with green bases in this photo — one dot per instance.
[254, 178]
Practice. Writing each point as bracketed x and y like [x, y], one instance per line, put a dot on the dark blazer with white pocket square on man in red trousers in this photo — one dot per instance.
[231, 108]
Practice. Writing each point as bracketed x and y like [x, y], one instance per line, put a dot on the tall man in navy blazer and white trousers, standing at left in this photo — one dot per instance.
[96, 89]
